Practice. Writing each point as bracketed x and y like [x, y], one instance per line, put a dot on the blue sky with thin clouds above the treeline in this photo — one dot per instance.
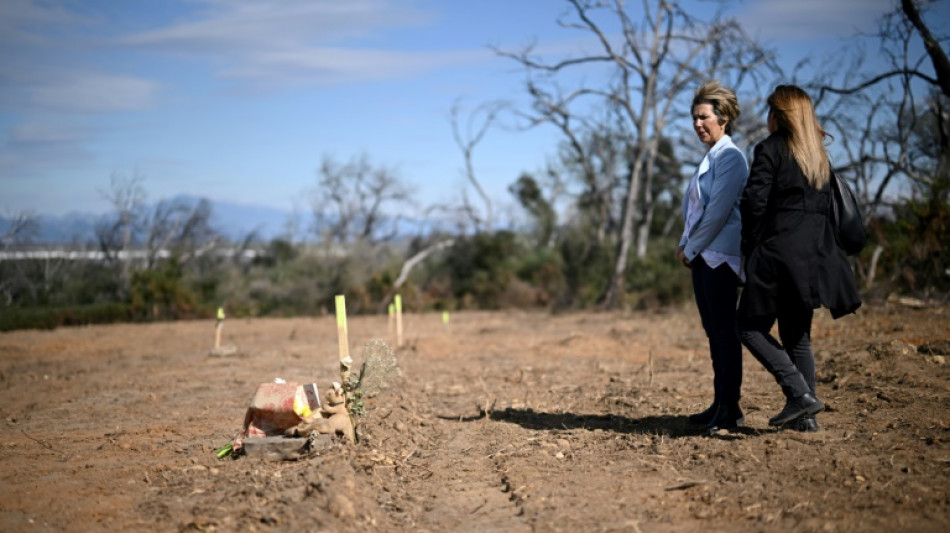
[239, 100]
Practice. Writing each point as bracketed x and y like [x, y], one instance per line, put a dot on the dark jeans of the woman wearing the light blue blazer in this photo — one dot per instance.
[715, 291]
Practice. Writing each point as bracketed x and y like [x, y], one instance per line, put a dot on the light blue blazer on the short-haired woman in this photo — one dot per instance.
[722, 176]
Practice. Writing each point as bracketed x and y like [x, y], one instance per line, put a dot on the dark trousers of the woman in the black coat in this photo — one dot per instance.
[792, 363]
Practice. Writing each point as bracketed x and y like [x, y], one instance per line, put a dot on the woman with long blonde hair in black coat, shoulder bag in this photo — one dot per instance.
[792, 262]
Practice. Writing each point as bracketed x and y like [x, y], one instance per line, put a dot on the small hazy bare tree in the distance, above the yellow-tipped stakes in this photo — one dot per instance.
[352, 201]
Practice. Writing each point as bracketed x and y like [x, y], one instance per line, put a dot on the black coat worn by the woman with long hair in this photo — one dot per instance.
[791, 258]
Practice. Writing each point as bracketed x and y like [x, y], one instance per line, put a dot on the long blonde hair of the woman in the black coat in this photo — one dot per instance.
[793, 112]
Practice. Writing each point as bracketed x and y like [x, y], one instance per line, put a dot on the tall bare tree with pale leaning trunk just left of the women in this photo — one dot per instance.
[654, 59]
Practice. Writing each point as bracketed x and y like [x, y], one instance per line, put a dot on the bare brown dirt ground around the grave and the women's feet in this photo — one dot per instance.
[500, 422]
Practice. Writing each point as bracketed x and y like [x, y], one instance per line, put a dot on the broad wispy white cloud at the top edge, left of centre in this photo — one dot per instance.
[269, 43]
